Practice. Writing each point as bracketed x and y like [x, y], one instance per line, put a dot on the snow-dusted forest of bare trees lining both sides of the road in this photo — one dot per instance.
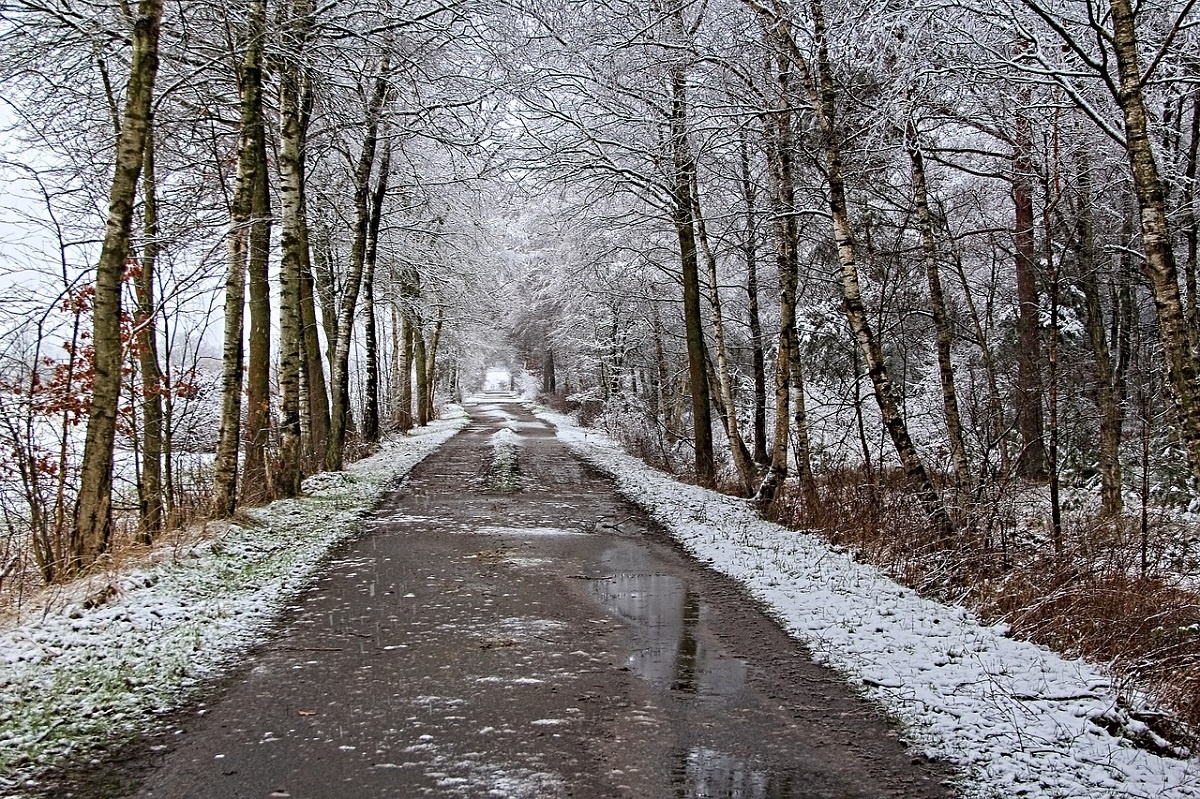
[919, 274]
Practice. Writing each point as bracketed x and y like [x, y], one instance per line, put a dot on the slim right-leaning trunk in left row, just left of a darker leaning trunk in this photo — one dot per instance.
[341, 377]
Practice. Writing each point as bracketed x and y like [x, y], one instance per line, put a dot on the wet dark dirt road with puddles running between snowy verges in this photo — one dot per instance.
[520, 632]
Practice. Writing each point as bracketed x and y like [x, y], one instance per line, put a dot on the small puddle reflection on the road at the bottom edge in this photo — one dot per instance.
[705, 773]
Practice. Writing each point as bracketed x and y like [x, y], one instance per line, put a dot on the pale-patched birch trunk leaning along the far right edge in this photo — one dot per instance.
[1175, 333]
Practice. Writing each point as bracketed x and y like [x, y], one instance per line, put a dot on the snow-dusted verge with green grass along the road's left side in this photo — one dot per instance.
[77, 678]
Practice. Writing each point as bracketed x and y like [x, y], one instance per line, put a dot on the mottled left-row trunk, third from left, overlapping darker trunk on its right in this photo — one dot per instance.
[225, 489]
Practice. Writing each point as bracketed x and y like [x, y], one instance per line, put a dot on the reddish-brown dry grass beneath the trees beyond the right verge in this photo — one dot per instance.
[1093, 600]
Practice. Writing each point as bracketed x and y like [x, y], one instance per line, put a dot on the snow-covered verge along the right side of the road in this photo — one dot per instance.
[1016, 718]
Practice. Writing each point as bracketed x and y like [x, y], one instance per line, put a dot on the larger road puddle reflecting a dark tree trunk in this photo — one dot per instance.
[665, 623]
